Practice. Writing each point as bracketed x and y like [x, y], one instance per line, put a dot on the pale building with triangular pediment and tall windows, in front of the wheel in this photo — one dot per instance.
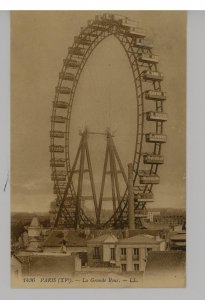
[127, 255]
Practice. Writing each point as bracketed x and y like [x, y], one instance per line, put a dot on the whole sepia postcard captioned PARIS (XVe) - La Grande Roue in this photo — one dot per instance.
[98, 149]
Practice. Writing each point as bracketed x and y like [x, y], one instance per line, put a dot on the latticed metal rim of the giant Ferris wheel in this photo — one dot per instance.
[89, 38]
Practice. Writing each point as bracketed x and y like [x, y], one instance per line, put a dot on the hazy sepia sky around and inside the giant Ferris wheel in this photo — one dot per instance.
[39, 43]
